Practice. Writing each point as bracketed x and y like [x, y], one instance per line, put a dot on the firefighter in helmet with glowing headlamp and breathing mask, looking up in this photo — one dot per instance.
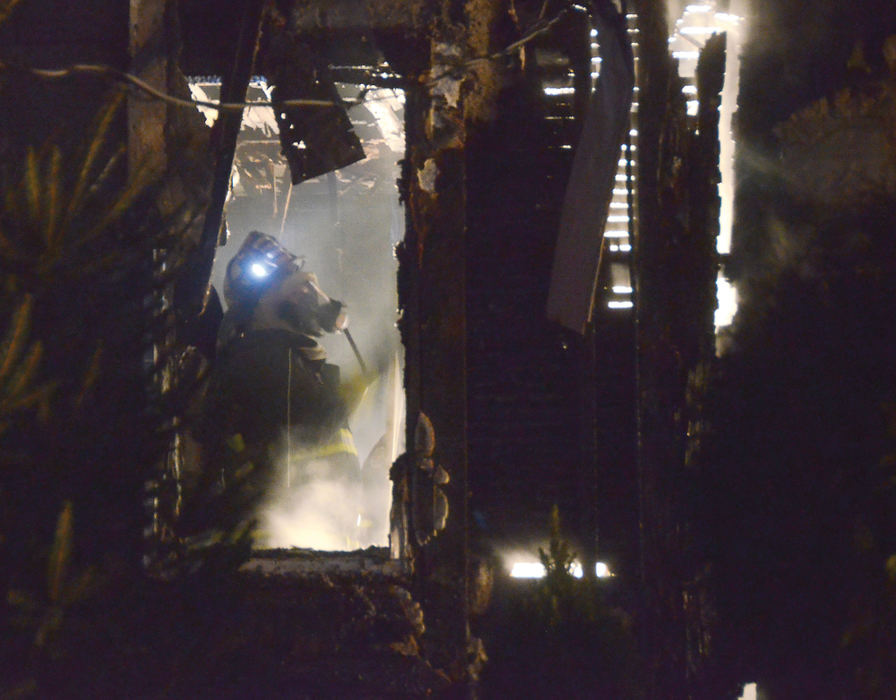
[275, 420]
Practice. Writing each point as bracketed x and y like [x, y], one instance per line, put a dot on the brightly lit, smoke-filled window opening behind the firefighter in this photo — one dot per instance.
[345, 225]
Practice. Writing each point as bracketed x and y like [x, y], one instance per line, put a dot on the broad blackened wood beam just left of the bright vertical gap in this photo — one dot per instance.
[675, 281]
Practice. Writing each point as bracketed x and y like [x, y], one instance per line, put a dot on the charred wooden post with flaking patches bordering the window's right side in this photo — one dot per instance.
[432, 296]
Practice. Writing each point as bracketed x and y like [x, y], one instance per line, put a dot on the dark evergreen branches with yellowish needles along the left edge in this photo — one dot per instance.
[85, 416]
